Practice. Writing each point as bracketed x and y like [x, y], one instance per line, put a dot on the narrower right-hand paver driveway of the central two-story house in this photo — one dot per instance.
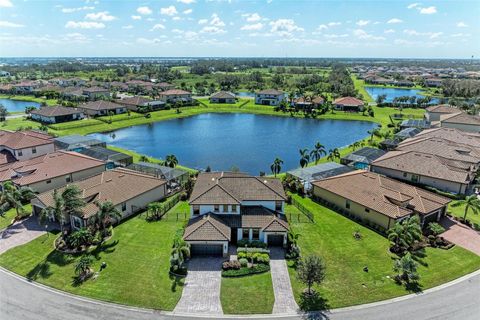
[282, 288]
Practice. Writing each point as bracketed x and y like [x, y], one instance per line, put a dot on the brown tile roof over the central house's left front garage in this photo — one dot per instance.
[207, 227]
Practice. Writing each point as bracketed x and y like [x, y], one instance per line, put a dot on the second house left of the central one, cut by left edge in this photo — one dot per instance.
[51, 171]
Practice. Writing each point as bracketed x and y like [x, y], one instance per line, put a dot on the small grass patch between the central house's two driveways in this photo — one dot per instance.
[247, 295]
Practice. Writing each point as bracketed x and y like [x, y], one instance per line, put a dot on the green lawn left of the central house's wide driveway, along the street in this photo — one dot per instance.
[137, 258]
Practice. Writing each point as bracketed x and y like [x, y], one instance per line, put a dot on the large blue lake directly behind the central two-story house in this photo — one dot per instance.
[246, 141]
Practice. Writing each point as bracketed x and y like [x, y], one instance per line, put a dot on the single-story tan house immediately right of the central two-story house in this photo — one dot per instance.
[378, 200]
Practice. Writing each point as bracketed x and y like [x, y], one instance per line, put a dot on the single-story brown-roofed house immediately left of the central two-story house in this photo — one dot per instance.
[129, 191]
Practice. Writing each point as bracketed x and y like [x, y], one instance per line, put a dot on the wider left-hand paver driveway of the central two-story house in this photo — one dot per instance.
[201, 292]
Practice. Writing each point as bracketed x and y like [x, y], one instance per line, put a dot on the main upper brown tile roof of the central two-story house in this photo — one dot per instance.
[233, 188]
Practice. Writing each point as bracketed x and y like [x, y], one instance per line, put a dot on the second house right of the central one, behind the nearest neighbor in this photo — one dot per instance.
[427, 169]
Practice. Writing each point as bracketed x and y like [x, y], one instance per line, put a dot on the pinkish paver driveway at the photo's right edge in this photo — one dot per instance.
[461, 235]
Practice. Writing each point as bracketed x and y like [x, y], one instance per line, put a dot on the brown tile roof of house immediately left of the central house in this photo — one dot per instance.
[116, 186]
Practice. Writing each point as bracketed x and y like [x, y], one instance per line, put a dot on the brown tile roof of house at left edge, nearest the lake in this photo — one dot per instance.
[23, 139]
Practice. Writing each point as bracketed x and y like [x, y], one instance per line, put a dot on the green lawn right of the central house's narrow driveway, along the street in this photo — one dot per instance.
[331, 237]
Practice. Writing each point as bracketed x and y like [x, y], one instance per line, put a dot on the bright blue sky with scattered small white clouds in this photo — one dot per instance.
[240, 28]
